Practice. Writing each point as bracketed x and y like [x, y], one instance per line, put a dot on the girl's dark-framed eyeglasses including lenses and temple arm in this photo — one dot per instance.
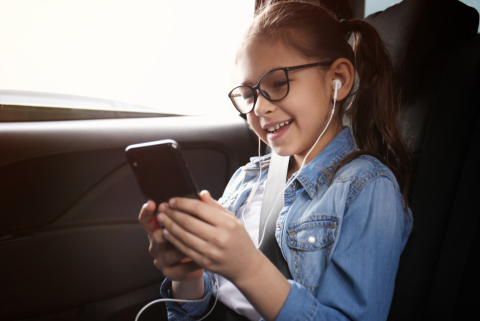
[273, 85]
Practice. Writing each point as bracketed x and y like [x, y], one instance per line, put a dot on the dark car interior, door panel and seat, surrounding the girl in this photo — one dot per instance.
[71, 247]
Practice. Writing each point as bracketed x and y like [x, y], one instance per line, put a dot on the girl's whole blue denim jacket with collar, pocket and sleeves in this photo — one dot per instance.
[342, 239]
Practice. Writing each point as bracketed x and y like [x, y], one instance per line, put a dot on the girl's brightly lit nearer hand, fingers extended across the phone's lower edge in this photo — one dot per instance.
[212, 236]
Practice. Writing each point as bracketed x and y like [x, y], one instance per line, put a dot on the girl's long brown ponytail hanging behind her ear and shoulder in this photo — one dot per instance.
[375, 105]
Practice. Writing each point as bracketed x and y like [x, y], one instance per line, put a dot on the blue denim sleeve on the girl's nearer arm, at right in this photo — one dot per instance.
[359, 280]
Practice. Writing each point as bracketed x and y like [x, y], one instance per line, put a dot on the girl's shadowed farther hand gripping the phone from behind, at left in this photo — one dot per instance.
[174, 264]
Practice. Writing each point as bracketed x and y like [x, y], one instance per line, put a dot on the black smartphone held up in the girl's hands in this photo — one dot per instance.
[161, 171]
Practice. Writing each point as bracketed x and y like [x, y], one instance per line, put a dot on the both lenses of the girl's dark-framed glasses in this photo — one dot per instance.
[273, 86]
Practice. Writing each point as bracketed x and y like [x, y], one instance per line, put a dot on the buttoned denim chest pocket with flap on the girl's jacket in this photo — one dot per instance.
[310, 241]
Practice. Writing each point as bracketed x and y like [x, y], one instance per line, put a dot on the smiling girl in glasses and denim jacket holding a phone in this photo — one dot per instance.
[345, 219]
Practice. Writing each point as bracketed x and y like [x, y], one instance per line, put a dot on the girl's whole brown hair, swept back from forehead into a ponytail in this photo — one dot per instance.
[314, 32]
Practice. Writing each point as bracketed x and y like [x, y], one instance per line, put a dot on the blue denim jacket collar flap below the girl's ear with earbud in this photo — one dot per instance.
[312, 175]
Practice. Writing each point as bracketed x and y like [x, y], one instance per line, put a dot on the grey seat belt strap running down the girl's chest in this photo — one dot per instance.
[277, 176]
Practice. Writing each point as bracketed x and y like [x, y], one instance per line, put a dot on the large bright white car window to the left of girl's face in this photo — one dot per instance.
[169, 57]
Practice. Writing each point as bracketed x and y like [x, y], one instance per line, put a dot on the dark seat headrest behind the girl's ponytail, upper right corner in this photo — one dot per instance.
[415, 30]
